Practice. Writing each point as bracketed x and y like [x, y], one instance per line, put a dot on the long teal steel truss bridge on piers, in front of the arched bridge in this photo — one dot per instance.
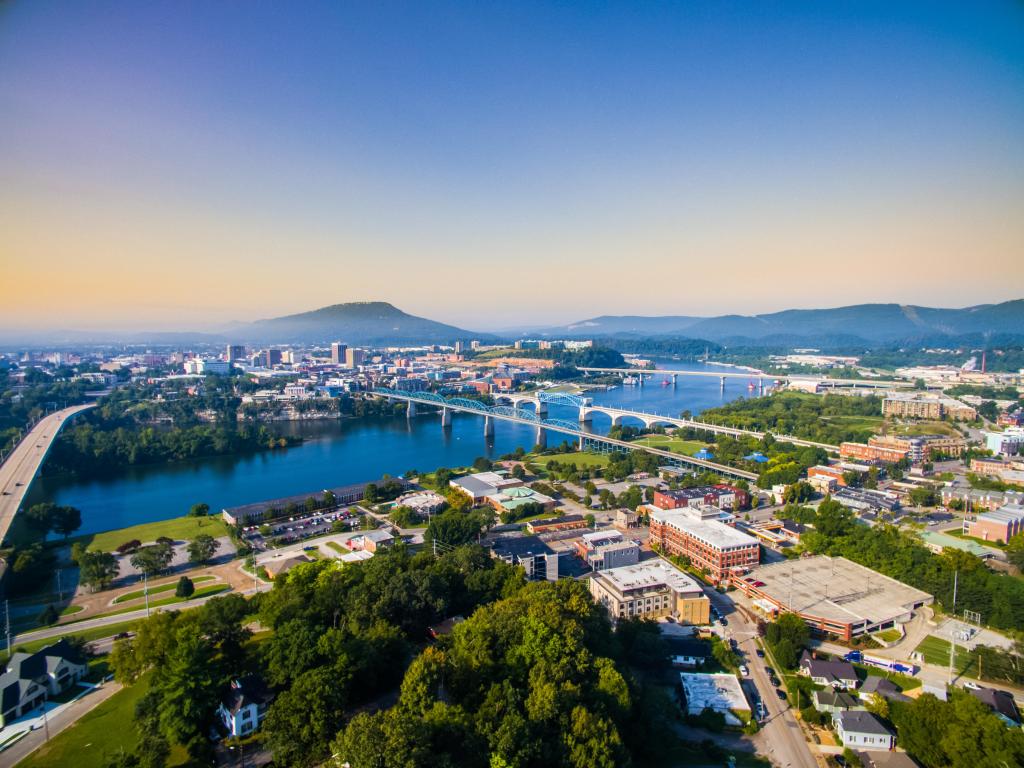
[524, 416]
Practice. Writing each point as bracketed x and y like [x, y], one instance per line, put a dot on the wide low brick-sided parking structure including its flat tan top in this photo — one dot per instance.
[834, 595]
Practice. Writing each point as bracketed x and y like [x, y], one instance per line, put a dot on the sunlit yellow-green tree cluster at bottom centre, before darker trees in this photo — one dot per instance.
[533, 680]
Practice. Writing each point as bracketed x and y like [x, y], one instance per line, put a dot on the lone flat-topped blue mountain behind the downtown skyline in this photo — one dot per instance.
[355, 323]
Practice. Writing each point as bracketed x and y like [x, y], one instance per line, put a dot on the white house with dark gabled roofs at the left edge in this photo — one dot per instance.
[32, 678]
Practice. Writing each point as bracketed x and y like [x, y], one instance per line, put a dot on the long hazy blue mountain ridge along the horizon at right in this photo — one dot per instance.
[869, 323]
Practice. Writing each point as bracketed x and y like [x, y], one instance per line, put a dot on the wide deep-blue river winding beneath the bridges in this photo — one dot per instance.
[337, 453]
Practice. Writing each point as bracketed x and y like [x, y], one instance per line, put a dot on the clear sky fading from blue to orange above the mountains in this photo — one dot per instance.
[184, 165]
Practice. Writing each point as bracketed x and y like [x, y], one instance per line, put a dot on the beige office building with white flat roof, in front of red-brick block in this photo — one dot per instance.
[650, 590]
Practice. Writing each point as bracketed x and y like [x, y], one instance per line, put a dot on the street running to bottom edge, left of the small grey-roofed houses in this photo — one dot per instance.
[781, 738]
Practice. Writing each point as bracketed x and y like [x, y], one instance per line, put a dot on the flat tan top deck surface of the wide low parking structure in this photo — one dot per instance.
[837, 589]
